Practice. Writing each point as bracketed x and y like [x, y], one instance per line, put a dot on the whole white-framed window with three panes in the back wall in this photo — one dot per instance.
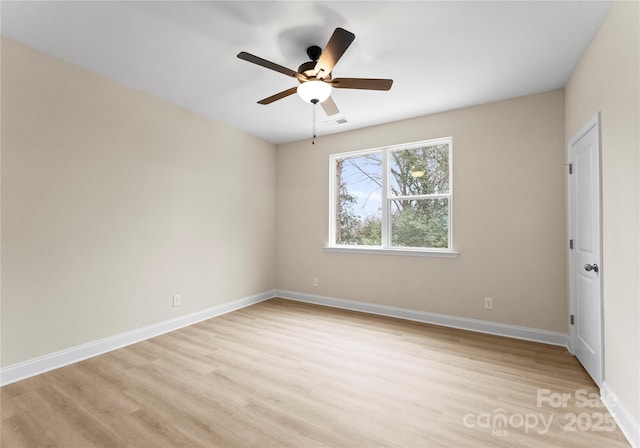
[393, 198]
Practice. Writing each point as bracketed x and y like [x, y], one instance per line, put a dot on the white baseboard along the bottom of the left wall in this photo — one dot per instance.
[36, 366]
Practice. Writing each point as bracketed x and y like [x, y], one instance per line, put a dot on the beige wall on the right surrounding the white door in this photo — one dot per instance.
[607, 80]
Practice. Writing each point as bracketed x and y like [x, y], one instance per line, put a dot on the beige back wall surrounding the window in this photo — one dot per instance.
[508, 218]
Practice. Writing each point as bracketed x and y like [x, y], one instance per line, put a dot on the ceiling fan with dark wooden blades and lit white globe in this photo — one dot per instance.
[314, 76]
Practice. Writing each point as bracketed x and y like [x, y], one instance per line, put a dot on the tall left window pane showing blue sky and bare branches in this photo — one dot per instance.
[359, 202]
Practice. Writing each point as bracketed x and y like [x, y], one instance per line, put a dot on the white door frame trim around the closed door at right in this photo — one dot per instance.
[593, 122]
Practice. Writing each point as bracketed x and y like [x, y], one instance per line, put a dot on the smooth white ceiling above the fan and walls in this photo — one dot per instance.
[441, 55]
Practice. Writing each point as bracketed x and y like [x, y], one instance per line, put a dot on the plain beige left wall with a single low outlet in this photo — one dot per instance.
[113, 201]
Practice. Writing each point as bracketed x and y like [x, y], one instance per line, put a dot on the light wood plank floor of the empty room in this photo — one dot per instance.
[282, 373]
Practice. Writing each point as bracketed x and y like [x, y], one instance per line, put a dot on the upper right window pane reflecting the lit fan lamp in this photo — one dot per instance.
[423, 170]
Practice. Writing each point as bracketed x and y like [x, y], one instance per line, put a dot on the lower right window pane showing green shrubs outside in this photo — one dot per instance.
[420, 223]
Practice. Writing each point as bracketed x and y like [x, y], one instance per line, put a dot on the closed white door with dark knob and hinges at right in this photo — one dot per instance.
[585, 249]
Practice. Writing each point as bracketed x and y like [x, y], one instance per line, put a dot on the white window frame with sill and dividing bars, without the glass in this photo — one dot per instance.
[387, 197]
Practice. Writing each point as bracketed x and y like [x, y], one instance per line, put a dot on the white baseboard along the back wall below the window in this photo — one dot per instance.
[480, 326]
